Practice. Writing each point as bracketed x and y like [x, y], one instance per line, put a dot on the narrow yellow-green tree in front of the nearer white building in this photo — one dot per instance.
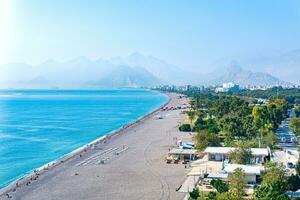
[237, 183]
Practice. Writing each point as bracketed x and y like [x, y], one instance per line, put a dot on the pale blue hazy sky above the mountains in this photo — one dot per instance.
[186, 33]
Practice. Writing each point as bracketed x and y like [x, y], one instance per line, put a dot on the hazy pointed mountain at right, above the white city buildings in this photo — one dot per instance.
[236, 74]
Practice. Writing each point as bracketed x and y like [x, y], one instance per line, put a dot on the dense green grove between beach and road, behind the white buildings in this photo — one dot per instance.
[234, 117]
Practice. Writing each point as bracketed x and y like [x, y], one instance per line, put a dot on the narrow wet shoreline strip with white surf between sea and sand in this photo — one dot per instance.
[35, 173]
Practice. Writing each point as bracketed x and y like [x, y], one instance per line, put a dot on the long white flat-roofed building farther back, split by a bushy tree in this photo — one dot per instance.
[222, 154]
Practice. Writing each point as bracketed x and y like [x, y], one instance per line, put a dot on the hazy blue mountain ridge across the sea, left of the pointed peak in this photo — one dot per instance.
[77, 73]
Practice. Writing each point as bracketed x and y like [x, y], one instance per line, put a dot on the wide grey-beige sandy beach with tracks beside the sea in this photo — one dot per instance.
[129, 165]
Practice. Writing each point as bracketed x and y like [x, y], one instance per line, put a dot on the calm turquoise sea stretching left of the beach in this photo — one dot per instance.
[37, 127]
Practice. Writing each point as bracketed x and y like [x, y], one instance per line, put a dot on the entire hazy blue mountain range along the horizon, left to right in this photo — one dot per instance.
[135, 70]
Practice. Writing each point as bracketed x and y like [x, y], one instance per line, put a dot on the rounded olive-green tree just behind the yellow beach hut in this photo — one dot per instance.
[204, 139]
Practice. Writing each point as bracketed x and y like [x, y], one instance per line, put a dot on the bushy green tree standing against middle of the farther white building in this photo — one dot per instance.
[241, 155]
